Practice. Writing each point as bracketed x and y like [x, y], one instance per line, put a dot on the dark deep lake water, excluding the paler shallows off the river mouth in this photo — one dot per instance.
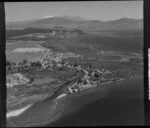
[121, 104]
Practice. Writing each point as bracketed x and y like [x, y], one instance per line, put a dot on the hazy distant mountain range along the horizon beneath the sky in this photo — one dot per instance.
[84, 24]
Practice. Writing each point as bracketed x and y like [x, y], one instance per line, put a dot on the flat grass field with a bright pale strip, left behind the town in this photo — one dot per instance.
[17, 52]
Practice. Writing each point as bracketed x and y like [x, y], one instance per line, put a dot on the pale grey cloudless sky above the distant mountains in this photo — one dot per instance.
[96, 10]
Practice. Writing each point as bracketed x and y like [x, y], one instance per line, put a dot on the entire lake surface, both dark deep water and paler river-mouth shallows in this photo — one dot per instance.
[120, 103]
